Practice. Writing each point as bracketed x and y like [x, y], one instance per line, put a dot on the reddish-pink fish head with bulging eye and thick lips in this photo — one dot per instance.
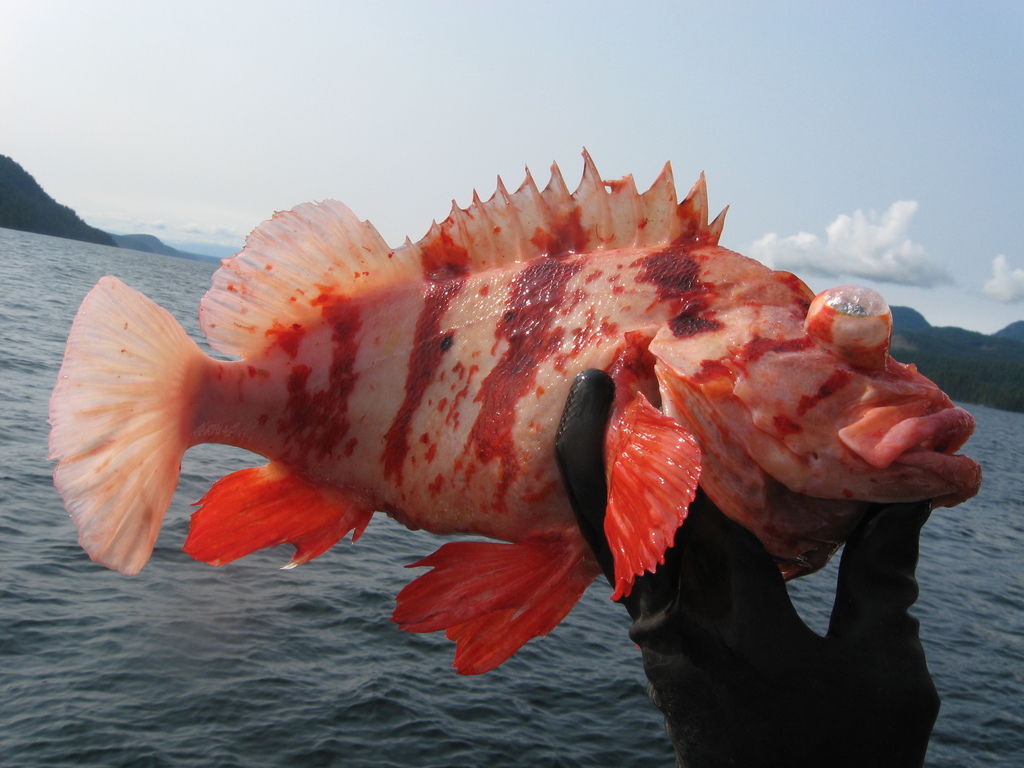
[796, 402]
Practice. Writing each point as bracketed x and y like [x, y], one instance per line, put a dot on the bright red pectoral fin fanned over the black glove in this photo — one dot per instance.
[655, 468]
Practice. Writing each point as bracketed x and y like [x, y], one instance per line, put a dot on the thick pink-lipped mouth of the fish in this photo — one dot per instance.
[926, 445]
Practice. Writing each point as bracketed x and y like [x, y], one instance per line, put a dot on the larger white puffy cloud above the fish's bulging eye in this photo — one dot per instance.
[861, 246]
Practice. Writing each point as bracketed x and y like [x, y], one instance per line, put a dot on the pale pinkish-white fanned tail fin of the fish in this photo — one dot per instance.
[121, 420]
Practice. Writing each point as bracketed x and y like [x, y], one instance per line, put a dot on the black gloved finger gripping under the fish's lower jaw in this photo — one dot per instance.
[877, 584]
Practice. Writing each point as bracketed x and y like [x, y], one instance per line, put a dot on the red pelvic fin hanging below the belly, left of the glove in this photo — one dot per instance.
[493, 598]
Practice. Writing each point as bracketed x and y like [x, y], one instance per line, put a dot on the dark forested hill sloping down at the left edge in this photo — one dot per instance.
[25, 206]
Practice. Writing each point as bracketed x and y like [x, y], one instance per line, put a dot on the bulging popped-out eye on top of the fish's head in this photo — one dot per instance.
[855, 323]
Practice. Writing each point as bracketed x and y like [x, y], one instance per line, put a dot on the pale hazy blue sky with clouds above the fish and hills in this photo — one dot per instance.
[875, 144]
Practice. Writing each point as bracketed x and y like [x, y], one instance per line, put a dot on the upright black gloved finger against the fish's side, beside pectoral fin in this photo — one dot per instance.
[580, 450]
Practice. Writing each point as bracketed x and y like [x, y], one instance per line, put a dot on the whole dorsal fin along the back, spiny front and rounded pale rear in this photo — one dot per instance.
[293, 260]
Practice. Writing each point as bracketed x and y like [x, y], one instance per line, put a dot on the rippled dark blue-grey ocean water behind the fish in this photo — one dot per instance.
[187, 665]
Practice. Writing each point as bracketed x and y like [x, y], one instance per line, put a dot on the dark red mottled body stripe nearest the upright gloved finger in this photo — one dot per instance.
[530, 329]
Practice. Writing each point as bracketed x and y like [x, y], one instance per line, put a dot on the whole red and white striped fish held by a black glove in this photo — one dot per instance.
[428, 381]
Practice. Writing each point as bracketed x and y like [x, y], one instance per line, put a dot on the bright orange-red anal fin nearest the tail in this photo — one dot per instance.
[266, 506]
